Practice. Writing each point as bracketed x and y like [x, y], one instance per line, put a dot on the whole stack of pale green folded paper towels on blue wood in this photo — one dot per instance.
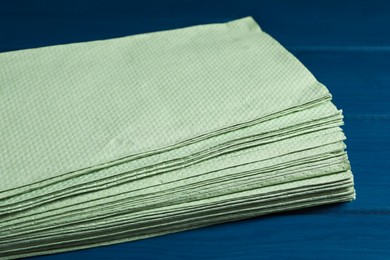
[124, 139]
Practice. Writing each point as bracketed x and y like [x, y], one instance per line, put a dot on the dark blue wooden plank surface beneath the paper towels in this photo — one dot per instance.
[346, 45]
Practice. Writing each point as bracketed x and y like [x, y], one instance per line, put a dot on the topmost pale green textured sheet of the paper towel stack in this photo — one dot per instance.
[64, 108]
